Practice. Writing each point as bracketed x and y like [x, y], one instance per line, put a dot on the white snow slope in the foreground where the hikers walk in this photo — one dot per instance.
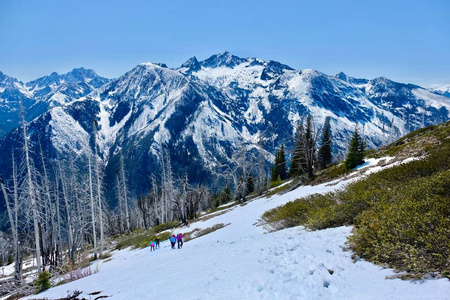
[243, 261]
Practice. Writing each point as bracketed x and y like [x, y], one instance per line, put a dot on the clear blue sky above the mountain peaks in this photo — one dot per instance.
[408, 41]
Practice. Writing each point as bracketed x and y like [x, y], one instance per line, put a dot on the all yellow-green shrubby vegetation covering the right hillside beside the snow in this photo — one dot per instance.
[401, 214]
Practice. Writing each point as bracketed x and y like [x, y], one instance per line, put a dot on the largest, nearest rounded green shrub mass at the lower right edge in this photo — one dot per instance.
[412, 231]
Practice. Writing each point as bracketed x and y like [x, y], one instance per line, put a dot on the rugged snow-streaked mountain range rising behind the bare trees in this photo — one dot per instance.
[205, 110]
